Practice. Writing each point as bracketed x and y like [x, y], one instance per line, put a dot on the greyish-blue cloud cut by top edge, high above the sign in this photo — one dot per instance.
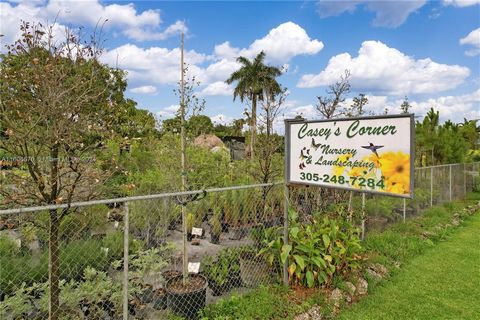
[388, 13]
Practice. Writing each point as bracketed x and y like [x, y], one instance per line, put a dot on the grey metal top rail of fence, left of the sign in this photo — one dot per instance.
[133, 198]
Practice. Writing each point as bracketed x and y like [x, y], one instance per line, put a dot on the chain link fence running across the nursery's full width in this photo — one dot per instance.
[123, 258]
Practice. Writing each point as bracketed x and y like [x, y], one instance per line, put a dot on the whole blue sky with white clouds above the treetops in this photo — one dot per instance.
[426, 50]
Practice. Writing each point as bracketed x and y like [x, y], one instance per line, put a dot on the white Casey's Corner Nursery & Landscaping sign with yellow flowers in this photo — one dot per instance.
[369, 154]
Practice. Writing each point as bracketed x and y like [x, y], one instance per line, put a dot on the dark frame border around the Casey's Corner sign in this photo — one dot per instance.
[289, 122]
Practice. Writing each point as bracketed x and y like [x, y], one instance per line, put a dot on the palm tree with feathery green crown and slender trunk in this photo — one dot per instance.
[255, 81]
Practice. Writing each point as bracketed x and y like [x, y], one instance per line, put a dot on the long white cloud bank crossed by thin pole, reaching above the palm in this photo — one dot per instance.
[161, 65]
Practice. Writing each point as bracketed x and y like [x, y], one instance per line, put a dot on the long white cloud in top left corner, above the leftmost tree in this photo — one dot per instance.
[125, 18]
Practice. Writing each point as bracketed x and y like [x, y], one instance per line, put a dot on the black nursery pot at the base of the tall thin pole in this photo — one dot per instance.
[187, 300]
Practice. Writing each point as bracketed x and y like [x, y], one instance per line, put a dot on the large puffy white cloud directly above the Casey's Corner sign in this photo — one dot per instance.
[381, 69]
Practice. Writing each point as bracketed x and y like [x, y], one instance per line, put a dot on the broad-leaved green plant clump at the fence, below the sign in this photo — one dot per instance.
[316, 251]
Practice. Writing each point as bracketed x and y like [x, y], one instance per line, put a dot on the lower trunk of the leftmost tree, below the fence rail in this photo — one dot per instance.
[54, 266]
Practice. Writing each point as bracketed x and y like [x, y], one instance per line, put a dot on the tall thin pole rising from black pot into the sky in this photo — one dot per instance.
[184, 171]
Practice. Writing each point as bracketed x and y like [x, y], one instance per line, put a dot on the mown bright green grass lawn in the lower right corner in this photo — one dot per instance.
[442, 283]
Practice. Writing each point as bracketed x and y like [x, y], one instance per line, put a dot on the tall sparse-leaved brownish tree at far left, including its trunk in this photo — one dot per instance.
[58, 104]
